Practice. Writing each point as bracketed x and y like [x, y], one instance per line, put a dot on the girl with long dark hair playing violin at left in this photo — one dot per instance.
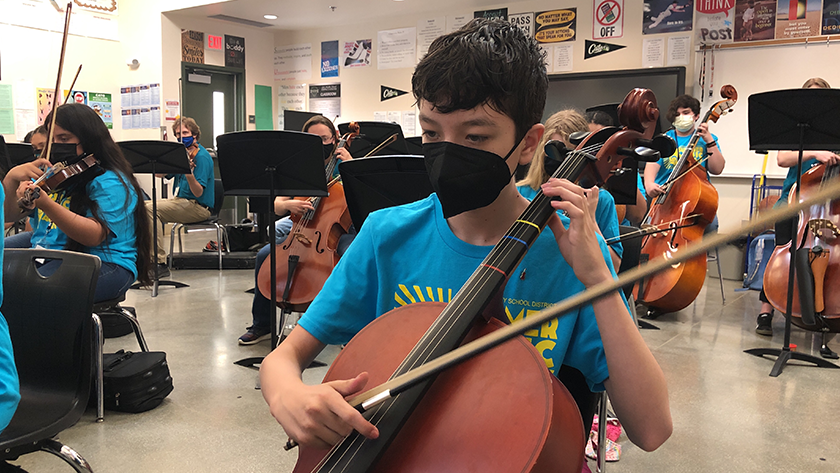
[99, 213]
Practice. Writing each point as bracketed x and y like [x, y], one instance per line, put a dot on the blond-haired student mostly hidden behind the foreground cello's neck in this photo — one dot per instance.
[558, 127]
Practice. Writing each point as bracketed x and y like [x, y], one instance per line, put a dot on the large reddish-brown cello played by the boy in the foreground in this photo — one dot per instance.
[544, 432]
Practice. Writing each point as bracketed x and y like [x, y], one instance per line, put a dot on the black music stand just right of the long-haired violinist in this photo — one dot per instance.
[156, 157]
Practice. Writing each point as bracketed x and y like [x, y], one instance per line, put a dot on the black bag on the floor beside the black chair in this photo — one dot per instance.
[135, 382]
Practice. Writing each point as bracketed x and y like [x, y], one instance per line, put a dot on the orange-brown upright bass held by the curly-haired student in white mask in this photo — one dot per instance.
[676, 218]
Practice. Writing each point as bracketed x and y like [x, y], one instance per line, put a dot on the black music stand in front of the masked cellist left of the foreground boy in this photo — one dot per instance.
[271, 164]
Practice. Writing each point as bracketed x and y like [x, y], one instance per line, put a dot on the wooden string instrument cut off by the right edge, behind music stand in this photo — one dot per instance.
[819, 226]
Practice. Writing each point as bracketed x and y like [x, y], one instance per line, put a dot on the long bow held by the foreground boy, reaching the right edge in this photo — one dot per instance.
[405, 381]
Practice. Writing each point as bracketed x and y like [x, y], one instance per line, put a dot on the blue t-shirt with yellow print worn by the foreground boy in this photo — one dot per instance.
[409, 254]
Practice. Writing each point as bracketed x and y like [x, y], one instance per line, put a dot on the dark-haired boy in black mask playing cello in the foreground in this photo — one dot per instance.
[480, 92]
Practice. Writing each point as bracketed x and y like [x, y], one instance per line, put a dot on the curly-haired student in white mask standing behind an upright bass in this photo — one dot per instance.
[684, 112]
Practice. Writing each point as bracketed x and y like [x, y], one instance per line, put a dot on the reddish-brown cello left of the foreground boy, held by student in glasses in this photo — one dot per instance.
[307, 257]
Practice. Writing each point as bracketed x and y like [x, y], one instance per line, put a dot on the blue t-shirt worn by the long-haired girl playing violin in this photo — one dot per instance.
[117, 202]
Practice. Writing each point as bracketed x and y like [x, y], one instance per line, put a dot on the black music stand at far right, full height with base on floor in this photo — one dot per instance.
[794, 119]
